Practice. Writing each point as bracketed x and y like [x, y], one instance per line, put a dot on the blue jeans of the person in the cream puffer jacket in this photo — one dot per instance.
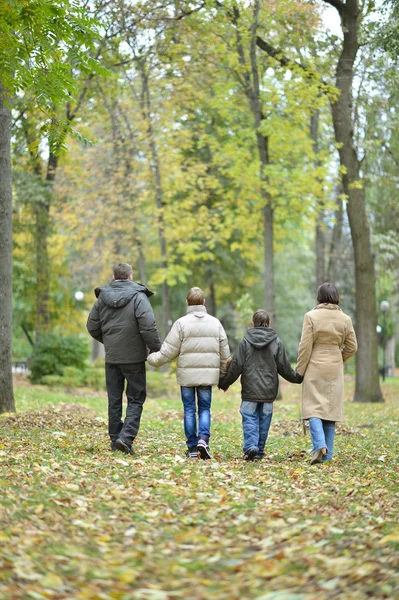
[204, 395]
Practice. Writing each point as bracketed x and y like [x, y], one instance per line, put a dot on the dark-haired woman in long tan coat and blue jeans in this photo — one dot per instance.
[327, 341]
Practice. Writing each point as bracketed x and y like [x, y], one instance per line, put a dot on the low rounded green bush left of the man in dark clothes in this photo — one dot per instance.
[55, 352]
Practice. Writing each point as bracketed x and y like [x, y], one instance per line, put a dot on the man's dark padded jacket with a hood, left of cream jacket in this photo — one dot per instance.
[123, 320]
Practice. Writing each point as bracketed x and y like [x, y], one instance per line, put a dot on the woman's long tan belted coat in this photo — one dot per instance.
[327, 341]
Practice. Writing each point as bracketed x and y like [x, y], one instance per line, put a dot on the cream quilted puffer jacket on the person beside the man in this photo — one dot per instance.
[200, 344]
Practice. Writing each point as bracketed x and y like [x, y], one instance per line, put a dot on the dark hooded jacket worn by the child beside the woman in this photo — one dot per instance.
[259, 359]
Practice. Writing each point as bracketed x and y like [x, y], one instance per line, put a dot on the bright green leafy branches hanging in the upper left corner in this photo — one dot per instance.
[42, 46]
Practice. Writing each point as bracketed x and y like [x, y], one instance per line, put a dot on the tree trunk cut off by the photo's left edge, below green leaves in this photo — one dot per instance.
[6, 389]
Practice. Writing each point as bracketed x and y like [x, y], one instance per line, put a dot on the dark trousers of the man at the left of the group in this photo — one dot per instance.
[115, 376]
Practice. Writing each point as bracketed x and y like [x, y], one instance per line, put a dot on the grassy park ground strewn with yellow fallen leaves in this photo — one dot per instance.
[80, 522]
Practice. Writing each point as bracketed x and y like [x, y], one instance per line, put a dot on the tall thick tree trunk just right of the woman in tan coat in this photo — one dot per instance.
[367, 380]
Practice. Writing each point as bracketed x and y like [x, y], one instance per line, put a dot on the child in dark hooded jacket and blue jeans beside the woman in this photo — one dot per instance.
[260, 359]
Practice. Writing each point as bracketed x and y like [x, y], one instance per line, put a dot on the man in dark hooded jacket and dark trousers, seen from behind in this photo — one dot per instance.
[122, 319]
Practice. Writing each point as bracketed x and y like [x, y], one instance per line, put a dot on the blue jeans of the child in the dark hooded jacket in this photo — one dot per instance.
[256, 419]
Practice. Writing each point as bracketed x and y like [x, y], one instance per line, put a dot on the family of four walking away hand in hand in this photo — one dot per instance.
[123, 320]
